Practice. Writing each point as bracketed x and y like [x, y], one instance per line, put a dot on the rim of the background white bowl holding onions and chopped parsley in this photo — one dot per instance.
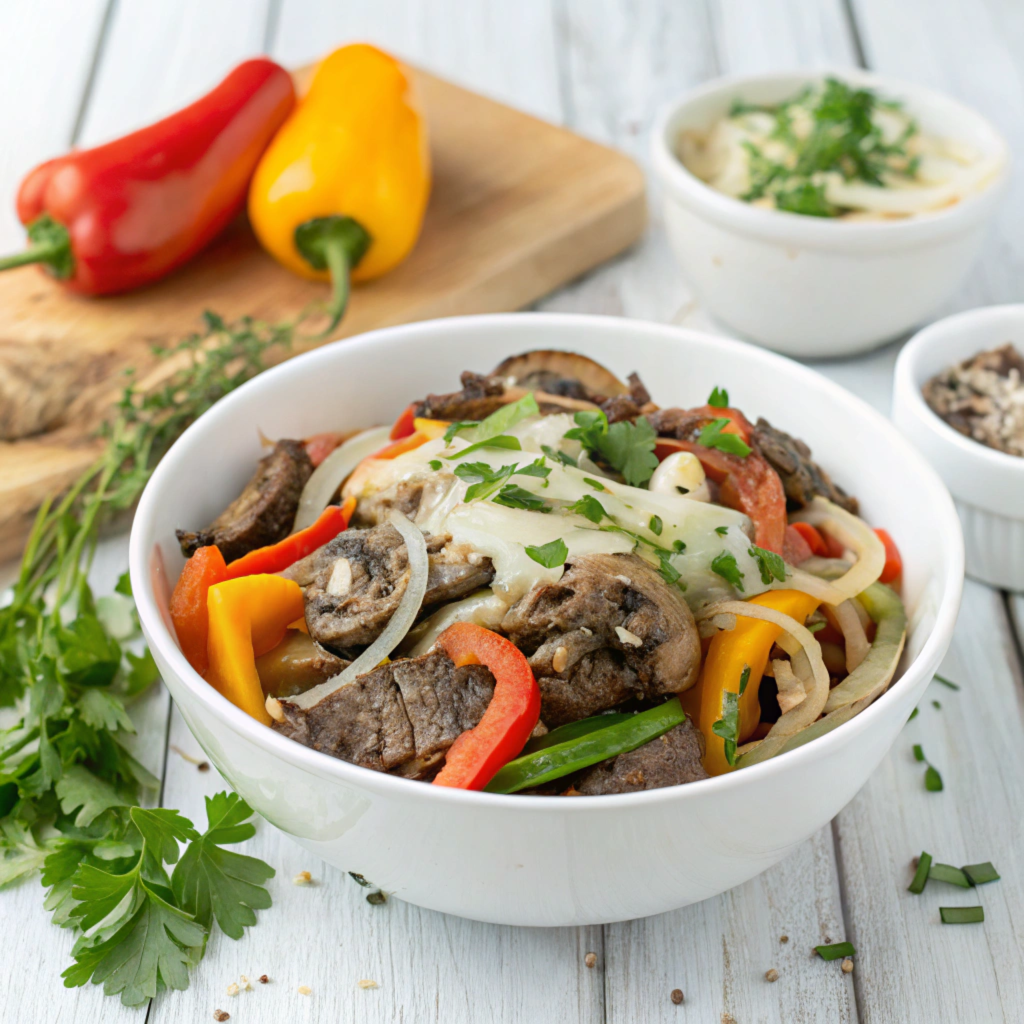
[824, 232]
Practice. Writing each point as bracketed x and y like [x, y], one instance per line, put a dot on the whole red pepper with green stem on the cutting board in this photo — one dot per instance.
[126, 214]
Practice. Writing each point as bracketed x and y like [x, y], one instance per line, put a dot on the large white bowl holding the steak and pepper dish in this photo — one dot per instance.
[536, 861]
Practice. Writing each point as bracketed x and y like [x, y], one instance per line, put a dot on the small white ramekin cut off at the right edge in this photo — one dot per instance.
[988, 486]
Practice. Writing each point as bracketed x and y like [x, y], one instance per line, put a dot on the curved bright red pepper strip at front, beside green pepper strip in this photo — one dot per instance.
[513, 715]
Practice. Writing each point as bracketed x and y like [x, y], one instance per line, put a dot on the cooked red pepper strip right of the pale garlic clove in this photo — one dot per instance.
[747, 484]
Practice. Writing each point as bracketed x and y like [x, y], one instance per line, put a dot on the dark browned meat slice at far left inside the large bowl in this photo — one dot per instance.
[265, 513]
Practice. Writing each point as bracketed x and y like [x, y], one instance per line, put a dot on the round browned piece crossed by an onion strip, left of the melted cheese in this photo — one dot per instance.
[354, 584]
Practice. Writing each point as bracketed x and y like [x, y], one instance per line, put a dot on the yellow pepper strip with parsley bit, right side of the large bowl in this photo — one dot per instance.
[731, 654]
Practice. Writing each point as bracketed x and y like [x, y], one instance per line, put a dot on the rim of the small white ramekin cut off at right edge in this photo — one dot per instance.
[908, 388]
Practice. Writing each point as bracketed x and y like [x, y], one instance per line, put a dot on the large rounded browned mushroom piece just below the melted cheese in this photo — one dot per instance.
[613, 604]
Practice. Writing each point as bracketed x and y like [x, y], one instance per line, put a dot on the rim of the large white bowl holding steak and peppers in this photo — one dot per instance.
[320, 764]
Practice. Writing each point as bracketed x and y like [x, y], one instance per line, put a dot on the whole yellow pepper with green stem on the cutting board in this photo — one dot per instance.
[343, 190]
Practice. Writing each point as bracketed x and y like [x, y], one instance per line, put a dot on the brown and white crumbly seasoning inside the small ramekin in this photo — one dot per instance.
[984, 399]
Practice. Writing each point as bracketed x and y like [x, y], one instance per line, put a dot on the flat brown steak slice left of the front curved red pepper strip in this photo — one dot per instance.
[403, 716]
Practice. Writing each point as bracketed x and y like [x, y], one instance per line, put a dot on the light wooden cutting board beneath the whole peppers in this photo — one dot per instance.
[519, 208]
